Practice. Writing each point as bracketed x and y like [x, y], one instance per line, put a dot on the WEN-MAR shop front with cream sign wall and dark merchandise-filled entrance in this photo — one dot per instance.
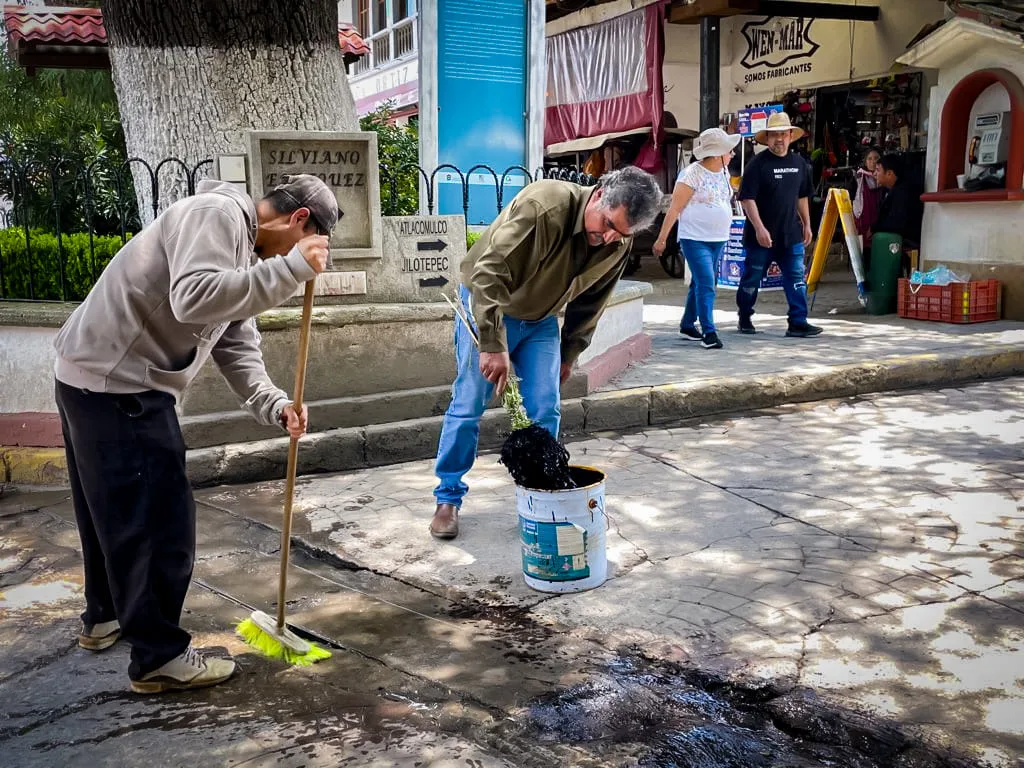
[838, 80]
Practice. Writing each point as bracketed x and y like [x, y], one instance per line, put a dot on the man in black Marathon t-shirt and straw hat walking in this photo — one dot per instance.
[776, 195]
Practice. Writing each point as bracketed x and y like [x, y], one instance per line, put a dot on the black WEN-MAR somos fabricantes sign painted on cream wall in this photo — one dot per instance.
[773, 45]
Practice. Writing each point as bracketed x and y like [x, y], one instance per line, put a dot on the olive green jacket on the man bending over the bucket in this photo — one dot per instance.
[534, 261]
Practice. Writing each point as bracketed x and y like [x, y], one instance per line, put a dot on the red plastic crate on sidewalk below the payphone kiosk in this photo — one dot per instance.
[977, 302]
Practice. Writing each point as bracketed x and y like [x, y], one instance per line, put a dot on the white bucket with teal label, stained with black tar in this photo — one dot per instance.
[563, 534]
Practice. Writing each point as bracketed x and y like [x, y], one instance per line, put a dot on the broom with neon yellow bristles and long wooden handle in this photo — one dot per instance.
[265, 633]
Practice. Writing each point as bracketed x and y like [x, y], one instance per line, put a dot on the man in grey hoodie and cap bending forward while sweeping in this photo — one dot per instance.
[185, 289]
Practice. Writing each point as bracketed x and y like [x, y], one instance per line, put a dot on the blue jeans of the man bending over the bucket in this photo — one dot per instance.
[535, 349]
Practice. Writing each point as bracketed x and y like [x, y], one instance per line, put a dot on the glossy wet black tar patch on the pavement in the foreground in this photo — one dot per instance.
[680, 718]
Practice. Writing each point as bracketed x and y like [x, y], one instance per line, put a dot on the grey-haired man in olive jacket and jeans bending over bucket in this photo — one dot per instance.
[557, 245]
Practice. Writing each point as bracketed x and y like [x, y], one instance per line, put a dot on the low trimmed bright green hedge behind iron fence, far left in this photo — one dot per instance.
[80, 260]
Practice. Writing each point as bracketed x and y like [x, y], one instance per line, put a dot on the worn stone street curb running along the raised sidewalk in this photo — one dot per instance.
[361, 448]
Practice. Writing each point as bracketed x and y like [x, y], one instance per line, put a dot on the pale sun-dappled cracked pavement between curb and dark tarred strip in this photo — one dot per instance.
[870, 548]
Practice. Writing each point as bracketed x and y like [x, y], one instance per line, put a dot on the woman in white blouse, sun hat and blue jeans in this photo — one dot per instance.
[703, 201]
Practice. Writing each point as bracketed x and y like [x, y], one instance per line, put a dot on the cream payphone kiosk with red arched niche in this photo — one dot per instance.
[974, 180]
